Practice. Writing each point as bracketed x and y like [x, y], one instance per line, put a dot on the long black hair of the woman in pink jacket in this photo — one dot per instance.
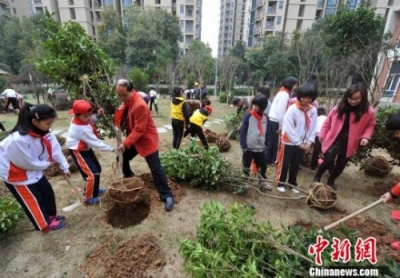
[361, 108]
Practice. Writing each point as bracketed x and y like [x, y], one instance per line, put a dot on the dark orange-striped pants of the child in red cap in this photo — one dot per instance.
[90, 170]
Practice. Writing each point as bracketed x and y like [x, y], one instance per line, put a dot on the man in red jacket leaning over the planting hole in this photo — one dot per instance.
[135, 119]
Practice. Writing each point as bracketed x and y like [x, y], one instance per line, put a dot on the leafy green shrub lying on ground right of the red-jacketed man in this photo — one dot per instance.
[195, 165]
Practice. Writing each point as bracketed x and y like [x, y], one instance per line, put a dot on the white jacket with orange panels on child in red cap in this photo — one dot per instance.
[82, 137]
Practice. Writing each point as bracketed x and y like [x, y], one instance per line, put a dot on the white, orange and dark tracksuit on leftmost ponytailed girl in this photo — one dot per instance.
[23, 159]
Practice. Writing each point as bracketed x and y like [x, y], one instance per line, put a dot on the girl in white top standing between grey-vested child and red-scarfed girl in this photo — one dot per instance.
[279, 106]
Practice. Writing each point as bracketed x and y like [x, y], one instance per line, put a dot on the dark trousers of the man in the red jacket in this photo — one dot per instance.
[157, 171]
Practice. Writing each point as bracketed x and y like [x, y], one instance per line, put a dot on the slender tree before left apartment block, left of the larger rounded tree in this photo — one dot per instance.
[110, 35]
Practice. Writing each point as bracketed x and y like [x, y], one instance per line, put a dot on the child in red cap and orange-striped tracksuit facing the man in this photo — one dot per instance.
[82, 136]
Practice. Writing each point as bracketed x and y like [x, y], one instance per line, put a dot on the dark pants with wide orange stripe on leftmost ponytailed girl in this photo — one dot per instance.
[37, 200]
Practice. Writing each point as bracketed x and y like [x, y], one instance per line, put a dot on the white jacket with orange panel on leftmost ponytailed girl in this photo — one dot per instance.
[24, 157]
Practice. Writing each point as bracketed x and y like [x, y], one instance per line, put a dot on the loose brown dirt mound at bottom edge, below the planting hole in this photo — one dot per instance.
[118, 258]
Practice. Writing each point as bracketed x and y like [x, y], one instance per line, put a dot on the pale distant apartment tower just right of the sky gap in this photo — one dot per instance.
[232, 24]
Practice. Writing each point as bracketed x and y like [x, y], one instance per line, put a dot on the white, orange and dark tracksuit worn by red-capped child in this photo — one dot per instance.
[81, 137]
